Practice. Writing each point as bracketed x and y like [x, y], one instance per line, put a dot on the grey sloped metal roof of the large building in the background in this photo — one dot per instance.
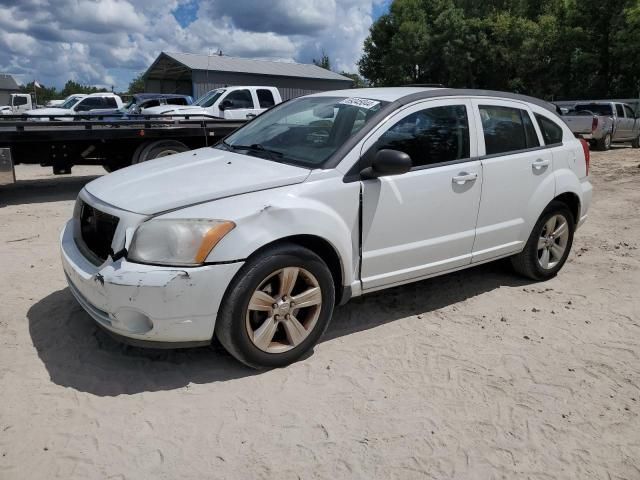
[224, 63]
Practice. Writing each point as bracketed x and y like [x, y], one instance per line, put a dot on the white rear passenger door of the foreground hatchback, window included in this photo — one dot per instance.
[517, 177]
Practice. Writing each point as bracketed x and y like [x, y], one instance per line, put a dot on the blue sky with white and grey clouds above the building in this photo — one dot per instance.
[108, 42]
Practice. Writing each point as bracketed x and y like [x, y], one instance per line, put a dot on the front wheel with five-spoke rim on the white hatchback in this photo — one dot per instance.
[240, 329]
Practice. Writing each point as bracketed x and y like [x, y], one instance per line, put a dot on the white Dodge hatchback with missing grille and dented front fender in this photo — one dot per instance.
[323, 198]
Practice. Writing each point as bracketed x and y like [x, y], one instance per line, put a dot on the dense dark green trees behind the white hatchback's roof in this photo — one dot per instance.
[548, 48]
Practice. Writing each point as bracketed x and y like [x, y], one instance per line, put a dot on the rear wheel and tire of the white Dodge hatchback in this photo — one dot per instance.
[530, 261]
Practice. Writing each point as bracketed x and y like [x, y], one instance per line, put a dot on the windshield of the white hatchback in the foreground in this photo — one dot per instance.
[305, 131]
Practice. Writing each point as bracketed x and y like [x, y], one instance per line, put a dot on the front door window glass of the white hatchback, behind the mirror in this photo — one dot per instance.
[430, 136]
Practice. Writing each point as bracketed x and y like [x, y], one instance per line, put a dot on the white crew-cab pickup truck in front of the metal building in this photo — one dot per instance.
[231, 103]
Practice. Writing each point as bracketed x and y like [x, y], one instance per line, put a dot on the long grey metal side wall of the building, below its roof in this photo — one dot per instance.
[289, 87]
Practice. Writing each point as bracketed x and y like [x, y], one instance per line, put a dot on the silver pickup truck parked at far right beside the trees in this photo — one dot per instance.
[604, 123]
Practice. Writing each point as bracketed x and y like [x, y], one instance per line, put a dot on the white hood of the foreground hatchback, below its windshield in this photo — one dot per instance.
[184, 179]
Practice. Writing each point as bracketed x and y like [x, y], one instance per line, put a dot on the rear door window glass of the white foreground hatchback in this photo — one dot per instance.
[507, 129]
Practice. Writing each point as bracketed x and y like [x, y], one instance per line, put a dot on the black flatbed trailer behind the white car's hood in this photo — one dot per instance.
[93, 140]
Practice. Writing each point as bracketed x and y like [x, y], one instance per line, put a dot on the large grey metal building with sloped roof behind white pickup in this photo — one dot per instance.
[193, 74]
